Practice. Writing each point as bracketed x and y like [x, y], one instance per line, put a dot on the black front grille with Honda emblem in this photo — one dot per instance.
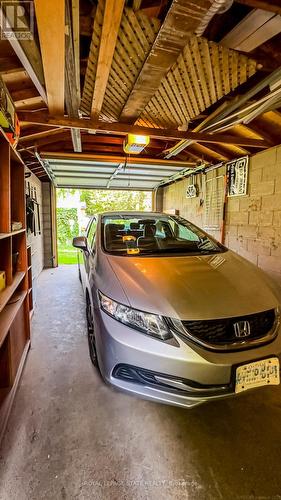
[224, 332]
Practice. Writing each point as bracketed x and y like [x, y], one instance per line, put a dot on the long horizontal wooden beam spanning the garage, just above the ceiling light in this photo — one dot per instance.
[124, 129]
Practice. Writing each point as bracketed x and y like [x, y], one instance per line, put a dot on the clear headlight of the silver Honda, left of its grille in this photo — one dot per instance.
[151, 324]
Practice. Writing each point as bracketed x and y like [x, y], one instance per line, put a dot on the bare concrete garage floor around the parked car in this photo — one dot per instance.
[72, 437]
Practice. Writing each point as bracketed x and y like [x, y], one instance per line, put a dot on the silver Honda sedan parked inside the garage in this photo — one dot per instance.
[172, 314]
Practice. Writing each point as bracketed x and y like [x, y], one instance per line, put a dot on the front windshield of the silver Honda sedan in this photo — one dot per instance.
[155, 235]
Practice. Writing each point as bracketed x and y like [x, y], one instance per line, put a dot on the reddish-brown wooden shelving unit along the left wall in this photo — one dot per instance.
[14, 298]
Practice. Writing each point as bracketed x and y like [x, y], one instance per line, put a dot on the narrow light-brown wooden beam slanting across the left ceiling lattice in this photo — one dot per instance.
[111, 23]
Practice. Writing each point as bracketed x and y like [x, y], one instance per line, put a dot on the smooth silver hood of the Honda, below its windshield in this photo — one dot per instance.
[194, 287]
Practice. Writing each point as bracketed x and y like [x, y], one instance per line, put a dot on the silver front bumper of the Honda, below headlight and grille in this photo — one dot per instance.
[180, 373]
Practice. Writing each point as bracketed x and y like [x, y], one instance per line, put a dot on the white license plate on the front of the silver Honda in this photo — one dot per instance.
[257, 374]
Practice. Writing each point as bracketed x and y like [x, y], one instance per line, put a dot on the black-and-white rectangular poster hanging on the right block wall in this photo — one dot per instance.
[237, 174]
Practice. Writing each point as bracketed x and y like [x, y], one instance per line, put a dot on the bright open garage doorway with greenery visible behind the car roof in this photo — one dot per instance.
[76, 206]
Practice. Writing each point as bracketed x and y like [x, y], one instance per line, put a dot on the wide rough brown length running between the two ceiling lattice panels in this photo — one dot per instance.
[181, 21]
